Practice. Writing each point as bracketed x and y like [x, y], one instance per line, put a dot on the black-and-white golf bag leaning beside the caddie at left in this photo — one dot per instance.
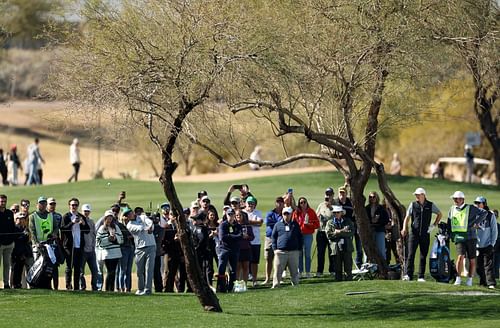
[40, 274]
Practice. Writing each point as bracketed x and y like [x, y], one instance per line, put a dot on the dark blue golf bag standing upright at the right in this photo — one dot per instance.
[441, 266]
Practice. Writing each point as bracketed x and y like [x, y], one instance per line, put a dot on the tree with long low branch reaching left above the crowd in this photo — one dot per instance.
[324, 77]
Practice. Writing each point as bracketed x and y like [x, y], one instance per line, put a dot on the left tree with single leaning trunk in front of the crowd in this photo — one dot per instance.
[155, 63]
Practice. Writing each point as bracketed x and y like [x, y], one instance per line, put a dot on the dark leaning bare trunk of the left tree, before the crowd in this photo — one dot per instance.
[200, 287]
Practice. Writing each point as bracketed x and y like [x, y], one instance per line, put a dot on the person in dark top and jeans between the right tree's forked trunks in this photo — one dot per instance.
[379, 218]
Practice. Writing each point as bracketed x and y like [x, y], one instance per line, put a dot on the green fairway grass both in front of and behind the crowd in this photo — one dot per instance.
[314, 303]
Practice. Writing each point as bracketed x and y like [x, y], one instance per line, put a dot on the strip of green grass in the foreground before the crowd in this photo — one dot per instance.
[314, 303]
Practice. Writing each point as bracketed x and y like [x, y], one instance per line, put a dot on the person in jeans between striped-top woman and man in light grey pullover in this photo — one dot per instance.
[127, 248]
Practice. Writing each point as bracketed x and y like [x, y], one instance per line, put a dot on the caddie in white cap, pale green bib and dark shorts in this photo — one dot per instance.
[463, 220]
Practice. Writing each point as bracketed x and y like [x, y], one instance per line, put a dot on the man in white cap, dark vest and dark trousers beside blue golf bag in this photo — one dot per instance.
[420, 213]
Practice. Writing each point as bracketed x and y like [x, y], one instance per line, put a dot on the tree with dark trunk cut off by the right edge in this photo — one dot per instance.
[471, 28]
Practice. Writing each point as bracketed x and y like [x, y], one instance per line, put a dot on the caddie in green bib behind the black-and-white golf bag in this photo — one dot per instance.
[43, 227]
